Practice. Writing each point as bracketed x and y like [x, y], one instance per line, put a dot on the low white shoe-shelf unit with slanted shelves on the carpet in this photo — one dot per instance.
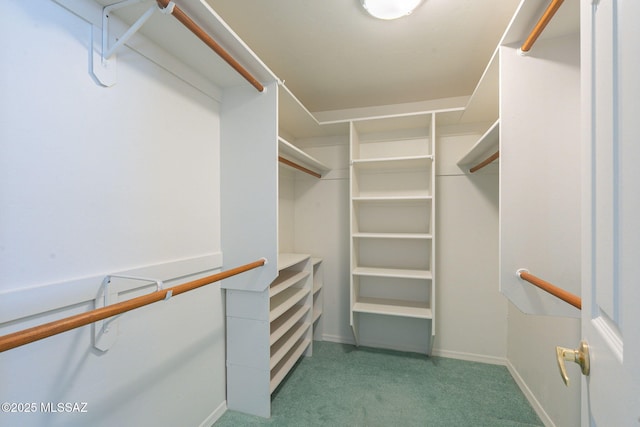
[268, 332]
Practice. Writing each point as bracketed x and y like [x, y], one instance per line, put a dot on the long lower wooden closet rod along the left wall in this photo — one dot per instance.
[36, 333]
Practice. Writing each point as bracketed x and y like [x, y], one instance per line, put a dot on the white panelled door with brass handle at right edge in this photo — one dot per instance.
[611, 233]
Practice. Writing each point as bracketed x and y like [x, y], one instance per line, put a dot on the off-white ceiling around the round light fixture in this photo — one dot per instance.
[333, 56]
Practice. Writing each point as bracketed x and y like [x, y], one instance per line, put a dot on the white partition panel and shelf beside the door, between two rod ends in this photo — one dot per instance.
[540, 171]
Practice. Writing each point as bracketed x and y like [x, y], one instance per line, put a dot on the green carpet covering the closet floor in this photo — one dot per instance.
[342, 385]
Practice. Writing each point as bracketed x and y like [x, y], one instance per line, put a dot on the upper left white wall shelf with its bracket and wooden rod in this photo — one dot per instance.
[139, 16]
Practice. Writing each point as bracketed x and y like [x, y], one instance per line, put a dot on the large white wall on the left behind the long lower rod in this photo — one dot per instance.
[96, 181]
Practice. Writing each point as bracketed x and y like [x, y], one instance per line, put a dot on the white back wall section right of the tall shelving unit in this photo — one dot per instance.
[471, 312]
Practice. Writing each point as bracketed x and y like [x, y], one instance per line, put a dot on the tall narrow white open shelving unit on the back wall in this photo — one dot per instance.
[392, 218]
